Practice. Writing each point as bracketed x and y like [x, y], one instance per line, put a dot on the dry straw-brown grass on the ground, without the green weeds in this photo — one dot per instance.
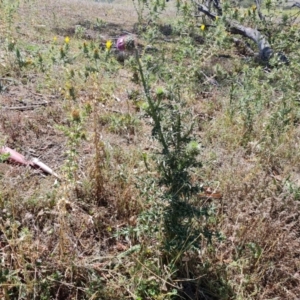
[61, 240]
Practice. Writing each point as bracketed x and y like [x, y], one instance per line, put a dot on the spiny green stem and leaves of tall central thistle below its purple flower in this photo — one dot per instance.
[173, 129]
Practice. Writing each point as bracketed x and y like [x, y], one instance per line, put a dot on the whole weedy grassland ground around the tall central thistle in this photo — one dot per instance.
[67, 100]
